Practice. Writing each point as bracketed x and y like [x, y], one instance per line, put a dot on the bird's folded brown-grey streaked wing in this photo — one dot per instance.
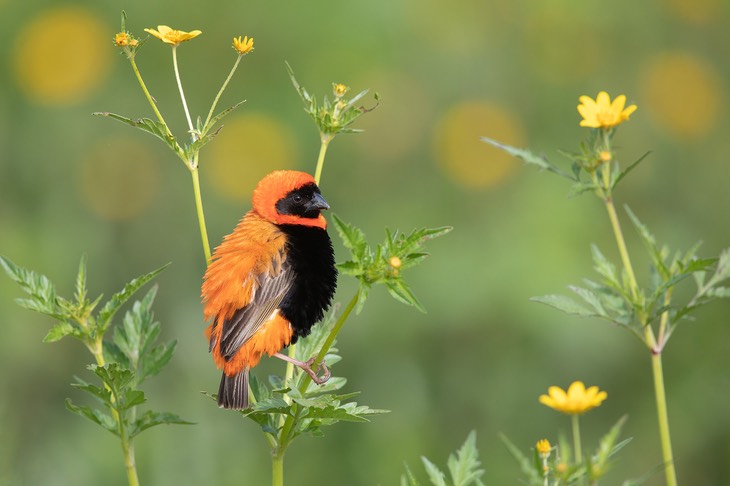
[268, 292]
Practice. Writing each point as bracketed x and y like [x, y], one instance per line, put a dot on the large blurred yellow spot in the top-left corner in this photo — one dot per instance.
[61, 55]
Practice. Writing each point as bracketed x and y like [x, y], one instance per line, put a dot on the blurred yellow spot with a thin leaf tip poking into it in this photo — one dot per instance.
[461, 153]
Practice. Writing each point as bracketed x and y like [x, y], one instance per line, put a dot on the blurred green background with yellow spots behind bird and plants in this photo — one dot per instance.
[448, 72]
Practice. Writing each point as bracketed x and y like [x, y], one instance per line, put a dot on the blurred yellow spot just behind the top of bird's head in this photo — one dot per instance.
[249, 147]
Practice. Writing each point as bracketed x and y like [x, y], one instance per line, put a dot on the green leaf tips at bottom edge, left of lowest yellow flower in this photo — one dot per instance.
[464, 467]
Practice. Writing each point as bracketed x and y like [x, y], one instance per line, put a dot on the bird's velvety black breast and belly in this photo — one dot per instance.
[312, 258]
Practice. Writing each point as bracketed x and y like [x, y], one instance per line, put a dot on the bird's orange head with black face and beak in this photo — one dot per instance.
[290, 197]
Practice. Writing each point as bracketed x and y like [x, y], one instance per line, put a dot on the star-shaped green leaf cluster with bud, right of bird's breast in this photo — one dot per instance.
[384, 264]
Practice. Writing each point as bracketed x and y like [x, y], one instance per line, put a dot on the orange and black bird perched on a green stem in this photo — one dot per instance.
[269, 281]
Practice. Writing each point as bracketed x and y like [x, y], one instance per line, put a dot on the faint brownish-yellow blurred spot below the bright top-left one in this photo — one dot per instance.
[119, 177]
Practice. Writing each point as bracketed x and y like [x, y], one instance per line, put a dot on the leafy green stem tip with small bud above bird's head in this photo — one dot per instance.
[332, 116]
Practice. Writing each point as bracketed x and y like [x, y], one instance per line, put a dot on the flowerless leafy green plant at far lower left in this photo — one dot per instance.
[122, 364]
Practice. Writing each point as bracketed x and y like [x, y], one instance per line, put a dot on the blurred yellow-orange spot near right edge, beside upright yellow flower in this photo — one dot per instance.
[682, 94]
